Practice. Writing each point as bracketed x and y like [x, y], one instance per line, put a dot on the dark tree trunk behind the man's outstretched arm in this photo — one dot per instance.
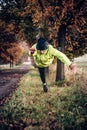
[61, 40]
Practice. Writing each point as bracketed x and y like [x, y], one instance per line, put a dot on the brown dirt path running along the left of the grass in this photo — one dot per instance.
[9, 80]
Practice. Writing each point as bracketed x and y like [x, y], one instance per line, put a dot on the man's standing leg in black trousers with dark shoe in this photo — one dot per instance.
[43, 78]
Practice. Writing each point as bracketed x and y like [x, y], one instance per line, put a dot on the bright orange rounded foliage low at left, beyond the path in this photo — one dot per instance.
[11, 53]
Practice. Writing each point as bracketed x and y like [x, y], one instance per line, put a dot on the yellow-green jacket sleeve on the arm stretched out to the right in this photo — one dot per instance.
[61, 56]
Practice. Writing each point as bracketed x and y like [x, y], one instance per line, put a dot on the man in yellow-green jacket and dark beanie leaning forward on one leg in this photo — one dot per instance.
[44, 54]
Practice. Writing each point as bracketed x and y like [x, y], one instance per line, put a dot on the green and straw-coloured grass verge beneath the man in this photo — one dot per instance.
[62, 108]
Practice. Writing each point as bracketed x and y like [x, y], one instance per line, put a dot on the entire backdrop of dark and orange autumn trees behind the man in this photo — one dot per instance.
[65, 25]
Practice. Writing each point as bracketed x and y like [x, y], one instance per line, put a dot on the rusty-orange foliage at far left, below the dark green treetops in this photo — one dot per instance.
[10, 50]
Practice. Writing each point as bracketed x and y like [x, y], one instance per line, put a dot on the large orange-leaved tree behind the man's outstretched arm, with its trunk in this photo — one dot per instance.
[66, 19]
